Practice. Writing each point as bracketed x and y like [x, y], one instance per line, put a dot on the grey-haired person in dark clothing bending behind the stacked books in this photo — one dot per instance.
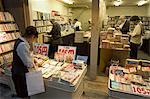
[123, 25]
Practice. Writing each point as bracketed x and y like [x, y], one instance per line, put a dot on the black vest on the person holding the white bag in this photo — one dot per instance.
[18, 68]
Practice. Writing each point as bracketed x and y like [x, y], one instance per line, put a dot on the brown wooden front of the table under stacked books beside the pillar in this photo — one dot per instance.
[106, 54]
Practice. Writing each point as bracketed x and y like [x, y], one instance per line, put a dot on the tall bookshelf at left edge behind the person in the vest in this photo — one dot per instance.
[9, 32]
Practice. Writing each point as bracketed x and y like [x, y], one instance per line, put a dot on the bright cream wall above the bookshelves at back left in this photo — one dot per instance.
[46, 6]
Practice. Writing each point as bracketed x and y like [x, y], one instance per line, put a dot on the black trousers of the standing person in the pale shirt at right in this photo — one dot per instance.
[134, 50]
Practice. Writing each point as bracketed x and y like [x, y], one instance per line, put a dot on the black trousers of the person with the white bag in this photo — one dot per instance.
[20, 85]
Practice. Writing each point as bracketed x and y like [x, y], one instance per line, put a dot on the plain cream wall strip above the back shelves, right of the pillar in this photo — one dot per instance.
[127, 11]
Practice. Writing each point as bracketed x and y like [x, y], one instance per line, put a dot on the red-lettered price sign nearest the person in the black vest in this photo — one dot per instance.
[41, 48]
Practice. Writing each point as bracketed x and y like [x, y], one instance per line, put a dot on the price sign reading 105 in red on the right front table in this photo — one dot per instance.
[140, 90]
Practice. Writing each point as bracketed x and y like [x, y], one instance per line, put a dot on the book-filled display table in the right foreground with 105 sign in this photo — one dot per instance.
[131, 81]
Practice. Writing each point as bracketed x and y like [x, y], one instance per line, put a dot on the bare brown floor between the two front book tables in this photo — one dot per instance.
[96, 89]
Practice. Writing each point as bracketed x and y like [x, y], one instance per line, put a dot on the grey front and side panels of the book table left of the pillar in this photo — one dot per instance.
[57, 90]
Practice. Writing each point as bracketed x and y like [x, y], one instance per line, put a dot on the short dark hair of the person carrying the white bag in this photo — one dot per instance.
[30, 30]
